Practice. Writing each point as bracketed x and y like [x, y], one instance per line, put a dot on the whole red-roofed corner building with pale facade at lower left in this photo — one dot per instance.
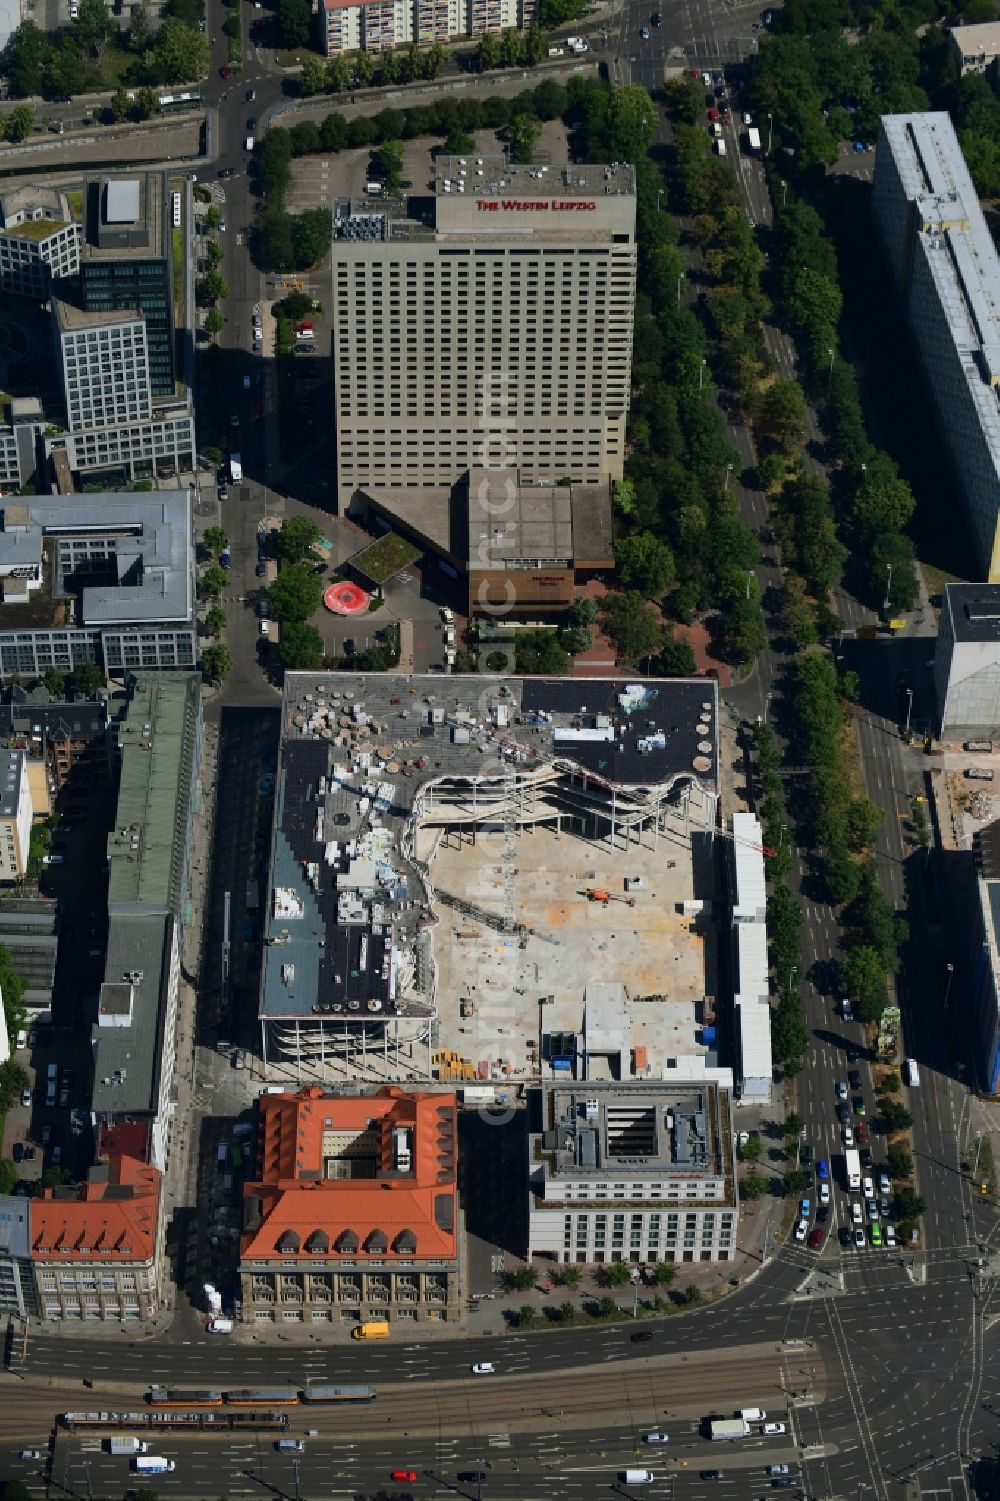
[98, 1247]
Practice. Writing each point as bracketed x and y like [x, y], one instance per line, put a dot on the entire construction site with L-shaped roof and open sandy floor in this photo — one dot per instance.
[492, 882]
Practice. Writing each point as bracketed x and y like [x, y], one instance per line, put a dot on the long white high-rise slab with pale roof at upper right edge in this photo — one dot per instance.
[945, 268]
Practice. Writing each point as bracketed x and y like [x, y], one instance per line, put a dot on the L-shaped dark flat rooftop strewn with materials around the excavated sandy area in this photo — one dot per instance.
[366, 757]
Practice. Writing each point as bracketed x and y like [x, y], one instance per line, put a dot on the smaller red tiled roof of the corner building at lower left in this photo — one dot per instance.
[104, 1218]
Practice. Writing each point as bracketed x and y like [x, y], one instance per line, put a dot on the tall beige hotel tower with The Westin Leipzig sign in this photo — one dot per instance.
[496, 337]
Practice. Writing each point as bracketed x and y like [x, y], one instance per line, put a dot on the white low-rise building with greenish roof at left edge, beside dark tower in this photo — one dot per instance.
[40, 241]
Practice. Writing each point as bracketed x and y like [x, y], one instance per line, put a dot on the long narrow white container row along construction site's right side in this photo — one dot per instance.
[752, 991]
